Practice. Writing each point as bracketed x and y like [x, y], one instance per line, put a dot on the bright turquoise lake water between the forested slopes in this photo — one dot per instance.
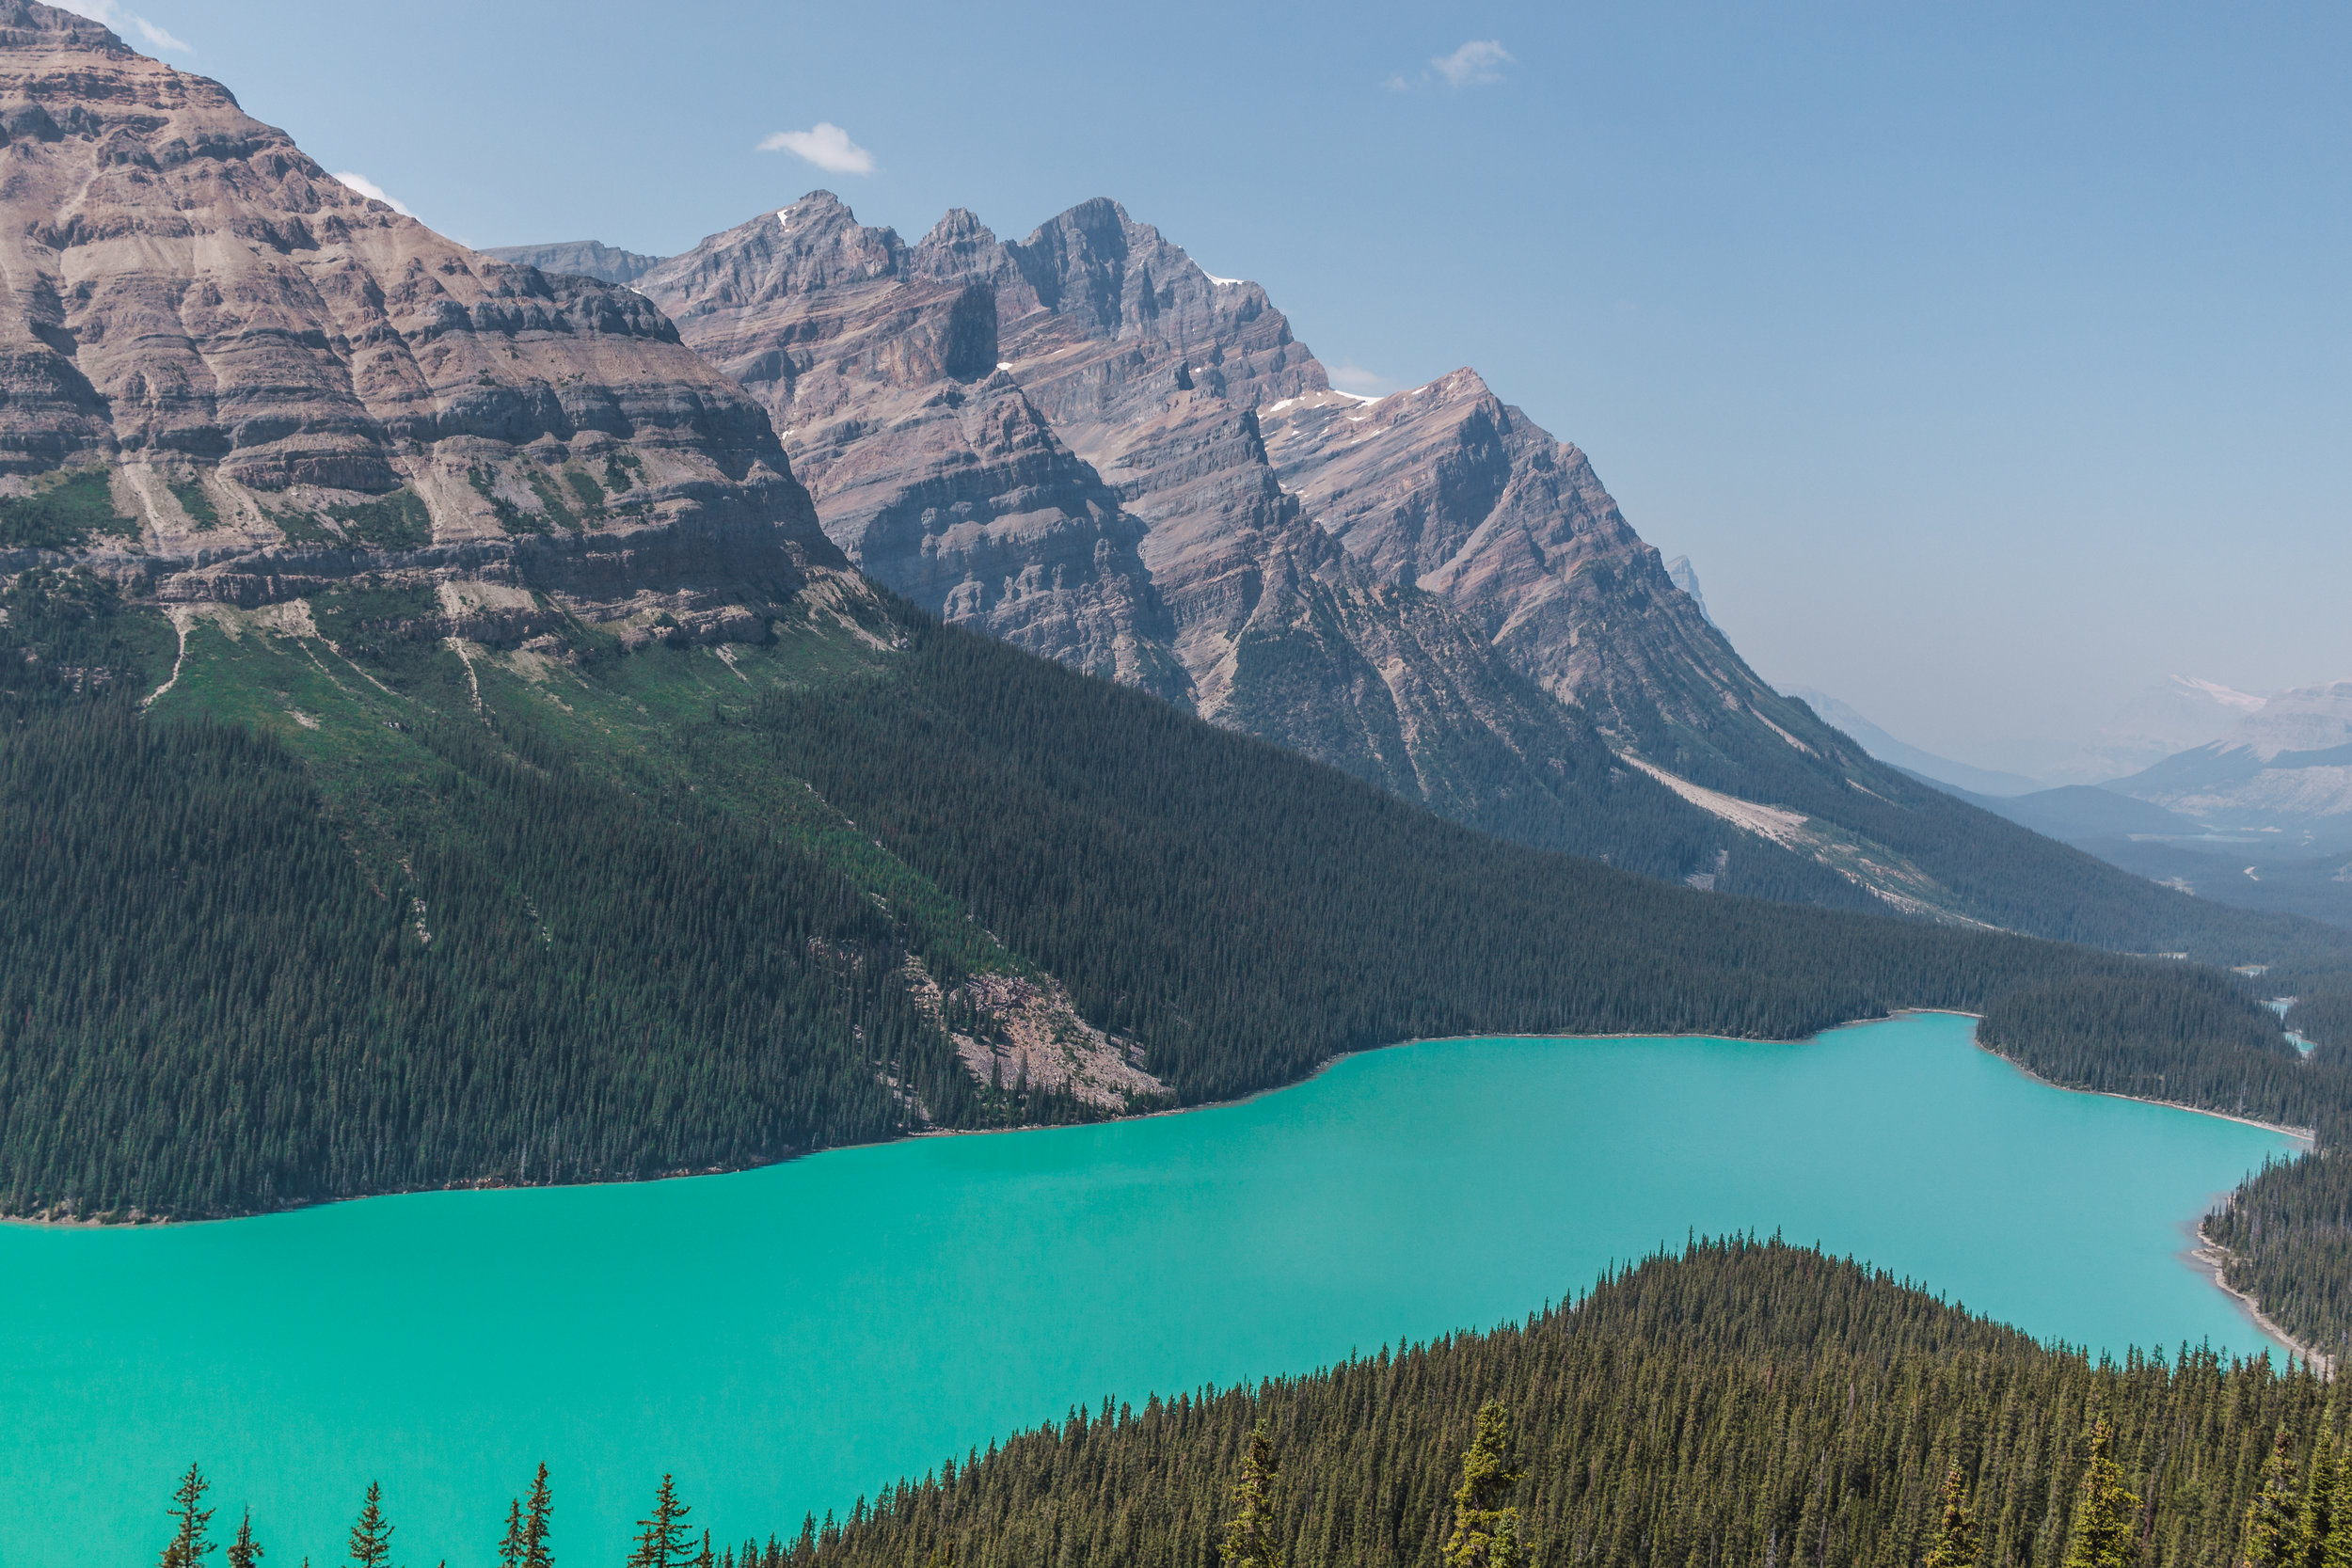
[796, 1336]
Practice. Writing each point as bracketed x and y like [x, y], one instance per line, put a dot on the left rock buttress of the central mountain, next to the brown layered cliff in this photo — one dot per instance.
[930, 467]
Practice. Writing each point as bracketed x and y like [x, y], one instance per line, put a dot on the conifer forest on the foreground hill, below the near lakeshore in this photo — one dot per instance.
[1744, 1405]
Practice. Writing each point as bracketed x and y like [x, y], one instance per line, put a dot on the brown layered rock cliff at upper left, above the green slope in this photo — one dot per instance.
[274, 380]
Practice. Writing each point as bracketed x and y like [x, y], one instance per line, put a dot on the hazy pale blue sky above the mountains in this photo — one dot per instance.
[1989, 361]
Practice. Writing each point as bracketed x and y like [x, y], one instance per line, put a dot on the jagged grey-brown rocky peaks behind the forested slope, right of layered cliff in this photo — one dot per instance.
[1088, 445]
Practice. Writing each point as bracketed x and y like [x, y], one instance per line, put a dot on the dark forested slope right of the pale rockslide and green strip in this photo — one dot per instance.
[1252, 913]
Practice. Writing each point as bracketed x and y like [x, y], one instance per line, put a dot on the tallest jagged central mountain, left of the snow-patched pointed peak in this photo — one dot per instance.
[1060, 441]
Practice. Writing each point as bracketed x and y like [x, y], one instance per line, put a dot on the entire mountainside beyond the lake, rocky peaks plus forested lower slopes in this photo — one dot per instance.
[505, 725]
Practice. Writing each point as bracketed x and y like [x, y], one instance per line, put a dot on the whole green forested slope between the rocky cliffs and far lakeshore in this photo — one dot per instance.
[370, 892]
